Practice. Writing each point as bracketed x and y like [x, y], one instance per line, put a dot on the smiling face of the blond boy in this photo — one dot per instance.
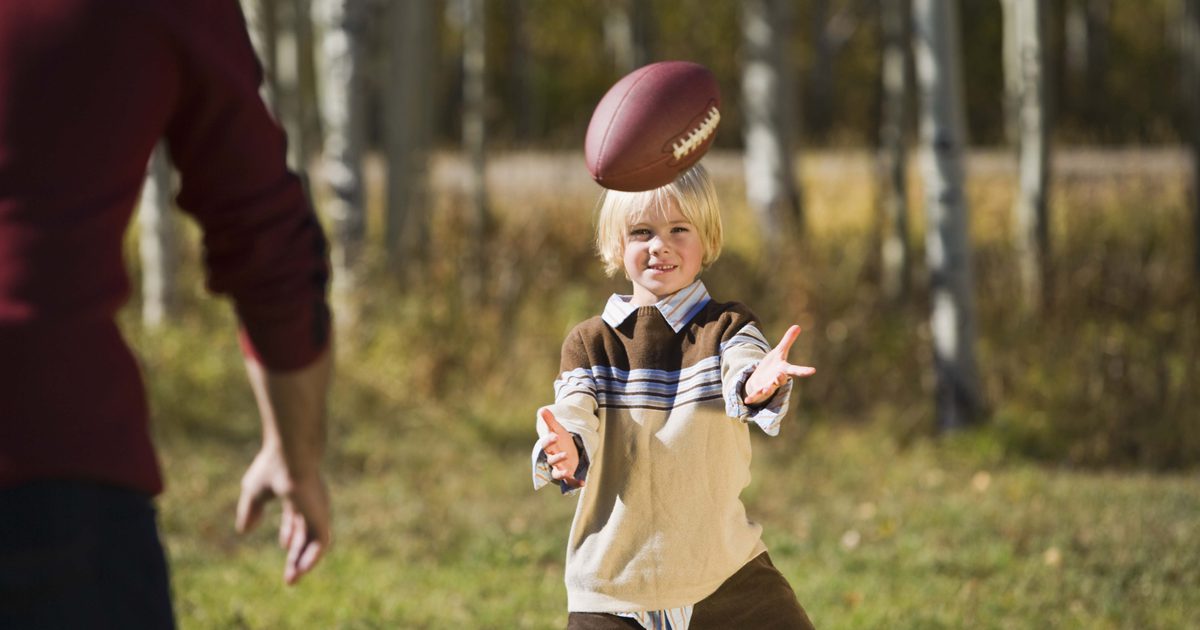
[663, 255]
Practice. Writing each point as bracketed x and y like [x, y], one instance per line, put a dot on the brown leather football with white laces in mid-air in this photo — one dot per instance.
[652, 125]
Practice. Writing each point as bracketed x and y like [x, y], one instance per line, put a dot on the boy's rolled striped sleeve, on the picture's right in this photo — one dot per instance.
[740, 358]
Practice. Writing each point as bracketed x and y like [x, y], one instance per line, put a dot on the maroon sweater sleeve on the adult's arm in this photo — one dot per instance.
[263, 245]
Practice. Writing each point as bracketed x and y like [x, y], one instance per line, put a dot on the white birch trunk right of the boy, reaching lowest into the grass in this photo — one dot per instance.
[949, 250]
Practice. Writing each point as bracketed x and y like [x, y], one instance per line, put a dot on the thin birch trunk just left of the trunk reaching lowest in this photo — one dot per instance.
[893, 152]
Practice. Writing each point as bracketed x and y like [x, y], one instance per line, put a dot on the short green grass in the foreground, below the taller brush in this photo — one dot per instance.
[442, 530]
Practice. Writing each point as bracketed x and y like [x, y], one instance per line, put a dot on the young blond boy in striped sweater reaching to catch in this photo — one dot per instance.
[650, 425]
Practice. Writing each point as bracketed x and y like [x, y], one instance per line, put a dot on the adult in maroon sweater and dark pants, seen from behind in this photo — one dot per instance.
[87, 89]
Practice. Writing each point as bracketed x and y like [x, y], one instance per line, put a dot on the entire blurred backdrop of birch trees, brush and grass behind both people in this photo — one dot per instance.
[983, 213]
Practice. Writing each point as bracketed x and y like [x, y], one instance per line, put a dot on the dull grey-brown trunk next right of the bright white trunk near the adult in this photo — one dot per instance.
[409, 101]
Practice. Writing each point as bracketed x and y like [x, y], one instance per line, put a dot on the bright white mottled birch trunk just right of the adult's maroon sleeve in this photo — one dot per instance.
[343, 61]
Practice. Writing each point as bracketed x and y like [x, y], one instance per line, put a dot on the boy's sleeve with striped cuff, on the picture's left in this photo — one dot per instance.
[575, 409]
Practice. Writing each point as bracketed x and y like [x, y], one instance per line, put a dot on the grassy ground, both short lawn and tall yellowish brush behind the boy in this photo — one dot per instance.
[1045, 519]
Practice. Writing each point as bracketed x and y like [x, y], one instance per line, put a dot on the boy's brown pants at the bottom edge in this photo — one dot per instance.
[757, 597]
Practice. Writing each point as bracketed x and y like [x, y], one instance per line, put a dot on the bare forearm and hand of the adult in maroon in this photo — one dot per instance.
[292, 406]
